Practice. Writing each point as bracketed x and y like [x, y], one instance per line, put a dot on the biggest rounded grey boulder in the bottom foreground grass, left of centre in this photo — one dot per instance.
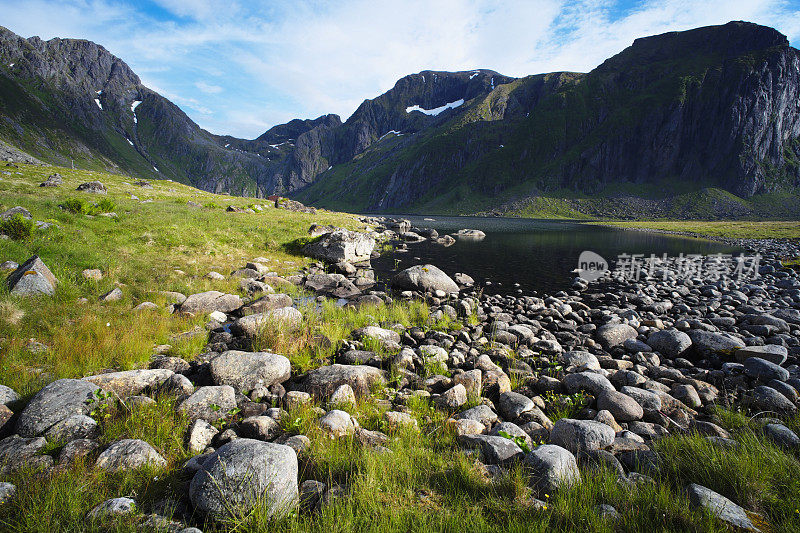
[242, 474]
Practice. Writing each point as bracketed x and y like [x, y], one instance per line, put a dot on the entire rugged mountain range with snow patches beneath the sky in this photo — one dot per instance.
[715, 107]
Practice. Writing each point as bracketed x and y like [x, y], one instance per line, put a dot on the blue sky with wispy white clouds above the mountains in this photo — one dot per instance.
[241, 67]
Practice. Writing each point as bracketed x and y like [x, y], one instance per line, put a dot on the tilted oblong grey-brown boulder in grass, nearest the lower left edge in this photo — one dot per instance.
[54, 403]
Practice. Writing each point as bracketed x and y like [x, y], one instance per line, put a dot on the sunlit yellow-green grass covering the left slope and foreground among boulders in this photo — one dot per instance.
[425, 482]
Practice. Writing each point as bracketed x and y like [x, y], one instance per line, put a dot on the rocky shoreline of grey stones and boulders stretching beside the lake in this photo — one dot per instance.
[629, 362]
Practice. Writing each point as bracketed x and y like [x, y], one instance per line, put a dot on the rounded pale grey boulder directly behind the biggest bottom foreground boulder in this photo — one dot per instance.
[244, 371]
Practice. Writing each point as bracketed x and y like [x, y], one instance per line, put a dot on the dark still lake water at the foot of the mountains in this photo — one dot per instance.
[539, 255]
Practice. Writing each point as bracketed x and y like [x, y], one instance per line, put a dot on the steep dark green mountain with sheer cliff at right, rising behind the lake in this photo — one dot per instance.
[714, 106]
